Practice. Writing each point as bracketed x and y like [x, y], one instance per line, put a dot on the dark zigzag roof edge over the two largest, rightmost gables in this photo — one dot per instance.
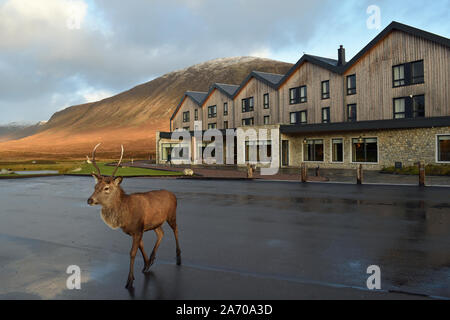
[331, 64]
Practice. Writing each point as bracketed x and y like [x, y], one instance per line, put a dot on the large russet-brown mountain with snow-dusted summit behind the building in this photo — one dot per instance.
[132, 117]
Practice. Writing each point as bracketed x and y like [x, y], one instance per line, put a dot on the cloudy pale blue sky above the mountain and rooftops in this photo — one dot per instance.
[58, 53]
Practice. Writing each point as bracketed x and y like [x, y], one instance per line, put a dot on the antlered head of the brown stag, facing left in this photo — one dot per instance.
[107, 189]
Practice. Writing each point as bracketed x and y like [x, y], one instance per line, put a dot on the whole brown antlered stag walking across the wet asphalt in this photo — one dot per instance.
[134, 213]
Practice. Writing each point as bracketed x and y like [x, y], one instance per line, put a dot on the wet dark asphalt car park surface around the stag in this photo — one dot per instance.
[239, 240]
